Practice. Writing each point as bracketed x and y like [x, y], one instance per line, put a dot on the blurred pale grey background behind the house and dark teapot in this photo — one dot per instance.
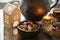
[3, 2]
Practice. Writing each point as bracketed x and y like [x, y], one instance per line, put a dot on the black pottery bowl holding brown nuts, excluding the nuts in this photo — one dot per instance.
[28, 34]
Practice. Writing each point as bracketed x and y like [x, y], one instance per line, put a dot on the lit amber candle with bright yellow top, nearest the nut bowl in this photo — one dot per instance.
[47, 23]
